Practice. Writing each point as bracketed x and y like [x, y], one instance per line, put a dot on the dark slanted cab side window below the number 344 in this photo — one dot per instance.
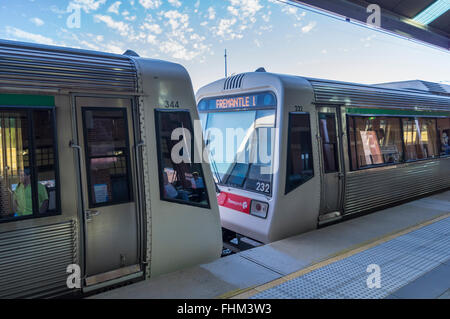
[181, 180]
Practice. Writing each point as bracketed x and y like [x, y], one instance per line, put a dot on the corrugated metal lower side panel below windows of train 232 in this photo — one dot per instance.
[369, 189]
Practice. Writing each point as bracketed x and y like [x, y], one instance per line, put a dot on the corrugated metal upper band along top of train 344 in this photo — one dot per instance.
[33, 66]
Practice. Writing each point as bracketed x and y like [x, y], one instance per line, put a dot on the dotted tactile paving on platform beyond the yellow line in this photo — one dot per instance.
[412, 265]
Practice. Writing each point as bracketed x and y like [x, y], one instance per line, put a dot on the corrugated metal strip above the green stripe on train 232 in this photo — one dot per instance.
[355, 95]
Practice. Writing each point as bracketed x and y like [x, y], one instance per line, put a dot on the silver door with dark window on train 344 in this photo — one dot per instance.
[108, 189]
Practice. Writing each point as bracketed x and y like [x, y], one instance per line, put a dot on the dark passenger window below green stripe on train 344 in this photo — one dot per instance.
[28, 164]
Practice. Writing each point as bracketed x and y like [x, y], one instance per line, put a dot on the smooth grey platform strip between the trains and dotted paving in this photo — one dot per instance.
[250, 272]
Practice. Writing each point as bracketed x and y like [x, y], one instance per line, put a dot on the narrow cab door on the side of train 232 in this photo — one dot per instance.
[331, 164]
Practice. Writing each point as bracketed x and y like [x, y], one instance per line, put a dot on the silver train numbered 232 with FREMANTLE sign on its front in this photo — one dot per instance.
[335, 150]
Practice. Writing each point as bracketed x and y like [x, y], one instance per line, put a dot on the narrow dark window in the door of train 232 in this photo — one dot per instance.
[327, 126]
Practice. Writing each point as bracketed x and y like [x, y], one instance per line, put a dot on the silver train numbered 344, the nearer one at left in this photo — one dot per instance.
[89, 194]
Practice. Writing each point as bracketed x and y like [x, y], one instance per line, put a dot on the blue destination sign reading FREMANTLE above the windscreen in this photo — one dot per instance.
[235, 102]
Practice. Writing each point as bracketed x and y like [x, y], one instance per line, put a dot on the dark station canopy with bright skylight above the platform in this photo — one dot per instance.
[426, 21]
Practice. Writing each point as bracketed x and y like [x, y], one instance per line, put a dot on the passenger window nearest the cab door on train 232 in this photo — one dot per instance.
[374, 141]
